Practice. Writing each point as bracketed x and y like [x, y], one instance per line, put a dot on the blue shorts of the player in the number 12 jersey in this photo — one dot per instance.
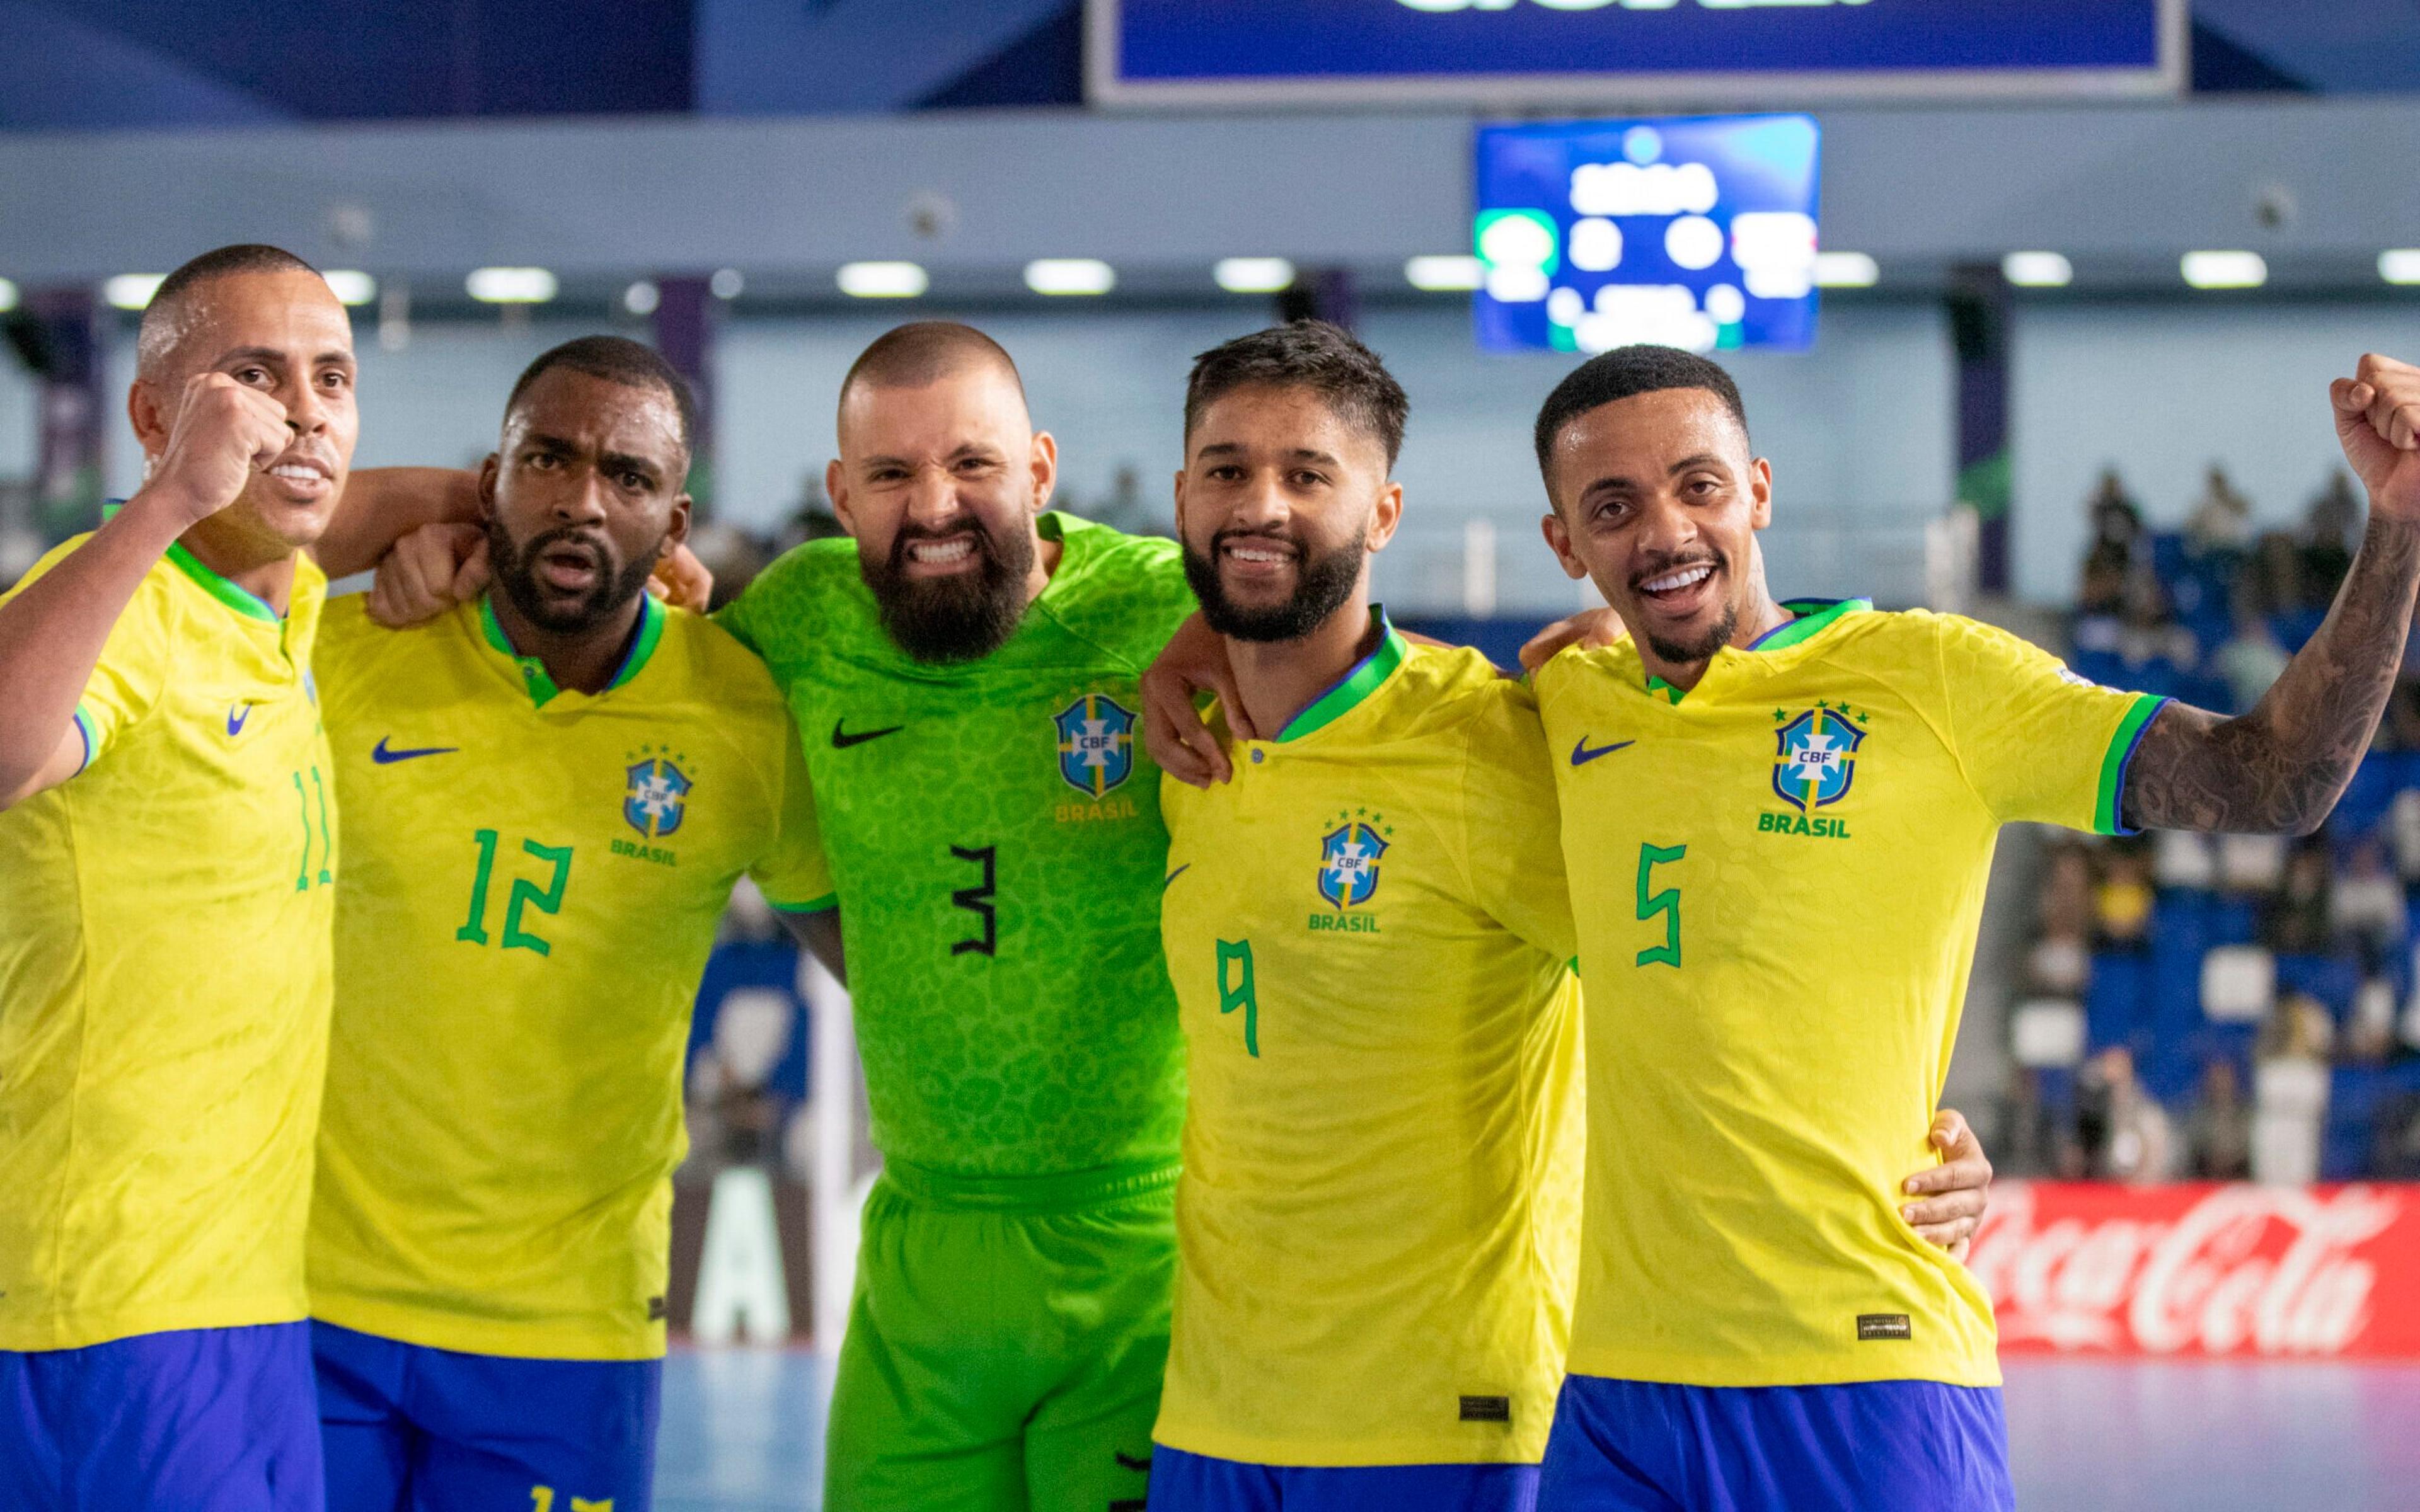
[413, 1429]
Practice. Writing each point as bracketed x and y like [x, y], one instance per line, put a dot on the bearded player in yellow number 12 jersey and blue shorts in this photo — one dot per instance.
[553, 792]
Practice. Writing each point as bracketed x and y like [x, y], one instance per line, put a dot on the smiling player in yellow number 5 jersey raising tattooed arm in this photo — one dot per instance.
[1777, 824]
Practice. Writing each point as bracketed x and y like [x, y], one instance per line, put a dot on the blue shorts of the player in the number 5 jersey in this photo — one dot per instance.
[1654, 1448]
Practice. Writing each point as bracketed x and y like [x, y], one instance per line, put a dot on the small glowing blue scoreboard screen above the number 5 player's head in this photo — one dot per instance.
[1693, 233]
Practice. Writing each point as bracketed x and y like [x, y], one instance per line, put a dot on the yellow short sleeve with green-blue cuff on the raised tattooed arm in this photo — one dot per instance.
[2034, 739]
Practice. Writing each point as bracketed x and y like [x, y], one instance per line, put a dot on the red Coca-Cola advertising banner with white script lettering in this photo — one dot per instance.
[2099, 1269]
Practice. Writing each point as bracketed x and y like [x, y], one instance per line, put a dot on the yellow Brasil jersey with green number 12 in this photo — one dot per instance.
[536, 882]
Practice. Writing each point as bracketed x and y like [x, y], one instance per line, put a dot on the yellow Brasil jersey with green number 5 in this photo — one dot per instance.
[1777, 879]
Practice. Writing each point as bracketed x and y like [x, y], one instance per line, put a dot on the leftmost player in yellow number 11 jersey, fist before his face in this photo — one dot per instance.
[168, 860]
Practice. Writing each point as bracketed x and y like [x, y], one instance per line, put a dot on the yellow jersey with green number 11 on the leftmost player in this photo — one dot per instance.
[166, 976]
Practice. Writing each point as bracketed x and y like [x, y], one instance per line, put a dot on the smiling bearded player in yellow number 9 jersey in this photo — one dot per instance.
[1371, 947]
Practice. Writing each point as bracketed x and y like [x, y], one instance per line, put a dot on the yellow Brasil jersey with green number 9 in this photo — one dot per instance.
[1378, 1211]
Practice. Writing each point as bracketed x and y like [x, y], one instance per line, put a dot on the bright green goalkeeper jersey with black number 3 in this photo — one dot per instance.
[996, 838]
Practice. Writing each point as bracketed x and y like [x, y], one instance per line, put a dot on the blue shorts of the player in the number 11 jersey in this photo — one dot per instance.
[192, 1421]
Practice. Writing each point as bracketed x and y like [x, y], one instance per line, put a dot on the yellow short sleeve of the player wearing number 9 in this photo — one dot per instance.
[1514, 829]
